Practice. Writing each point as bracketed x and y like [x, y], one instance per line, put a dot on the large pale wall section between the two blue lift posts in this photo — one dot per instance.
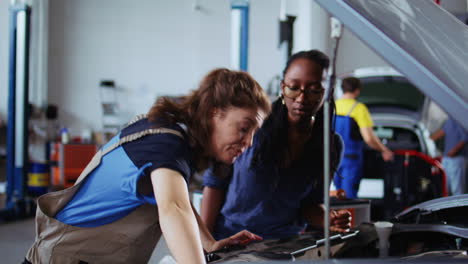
[150, 48]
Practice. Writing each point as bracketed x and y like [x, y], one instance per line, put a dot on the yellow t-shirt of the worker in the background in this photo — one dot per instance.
[360, 112]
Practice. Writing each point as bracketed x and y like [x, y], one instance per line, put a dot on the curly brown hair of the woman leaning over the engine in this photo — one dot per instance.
[219, 89]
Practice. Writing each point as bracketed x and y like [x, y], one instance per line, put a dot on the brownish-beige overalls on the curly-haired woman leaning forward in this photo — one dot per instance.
[130, 239]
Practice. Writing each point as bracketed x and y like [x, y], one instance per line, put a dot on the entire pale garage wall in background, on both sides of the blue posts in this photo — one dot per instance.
[152, 48]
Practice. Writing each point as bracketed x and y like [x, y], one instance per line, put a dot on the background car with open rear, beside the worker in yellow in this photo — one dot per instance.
[401, 118]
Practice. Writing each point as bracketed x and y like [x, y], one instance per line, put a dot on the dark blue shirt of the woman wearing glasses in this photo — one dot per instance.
[267, 199]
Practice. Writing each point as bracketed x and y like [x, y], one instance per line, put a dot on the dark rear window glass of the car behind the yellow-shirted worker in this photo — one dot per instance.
[391, 91]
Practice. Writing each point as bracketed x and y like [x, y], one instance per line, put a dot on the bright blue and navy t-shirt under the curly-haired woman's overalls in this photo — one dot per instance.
[110, 192]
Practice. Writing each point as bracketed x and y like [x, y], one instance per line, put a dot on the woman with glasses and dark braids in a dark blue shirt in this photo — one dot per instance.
[276, 186]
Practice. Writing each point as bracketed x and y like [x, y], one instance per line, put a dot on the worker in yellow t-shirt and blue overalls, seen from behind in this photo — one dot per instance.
[354, 124]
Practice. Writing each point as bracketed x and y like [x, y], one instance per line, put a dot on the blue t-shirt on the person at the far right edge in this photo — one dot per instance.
[454, 133]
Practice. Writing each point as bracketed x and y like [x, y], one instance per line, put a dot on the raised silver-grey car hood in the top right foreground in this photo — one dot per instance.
[419, 39]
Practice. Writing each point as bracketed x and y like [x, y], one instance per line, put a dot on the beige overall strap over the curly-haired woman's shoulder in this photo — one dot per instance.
[96, 160]
